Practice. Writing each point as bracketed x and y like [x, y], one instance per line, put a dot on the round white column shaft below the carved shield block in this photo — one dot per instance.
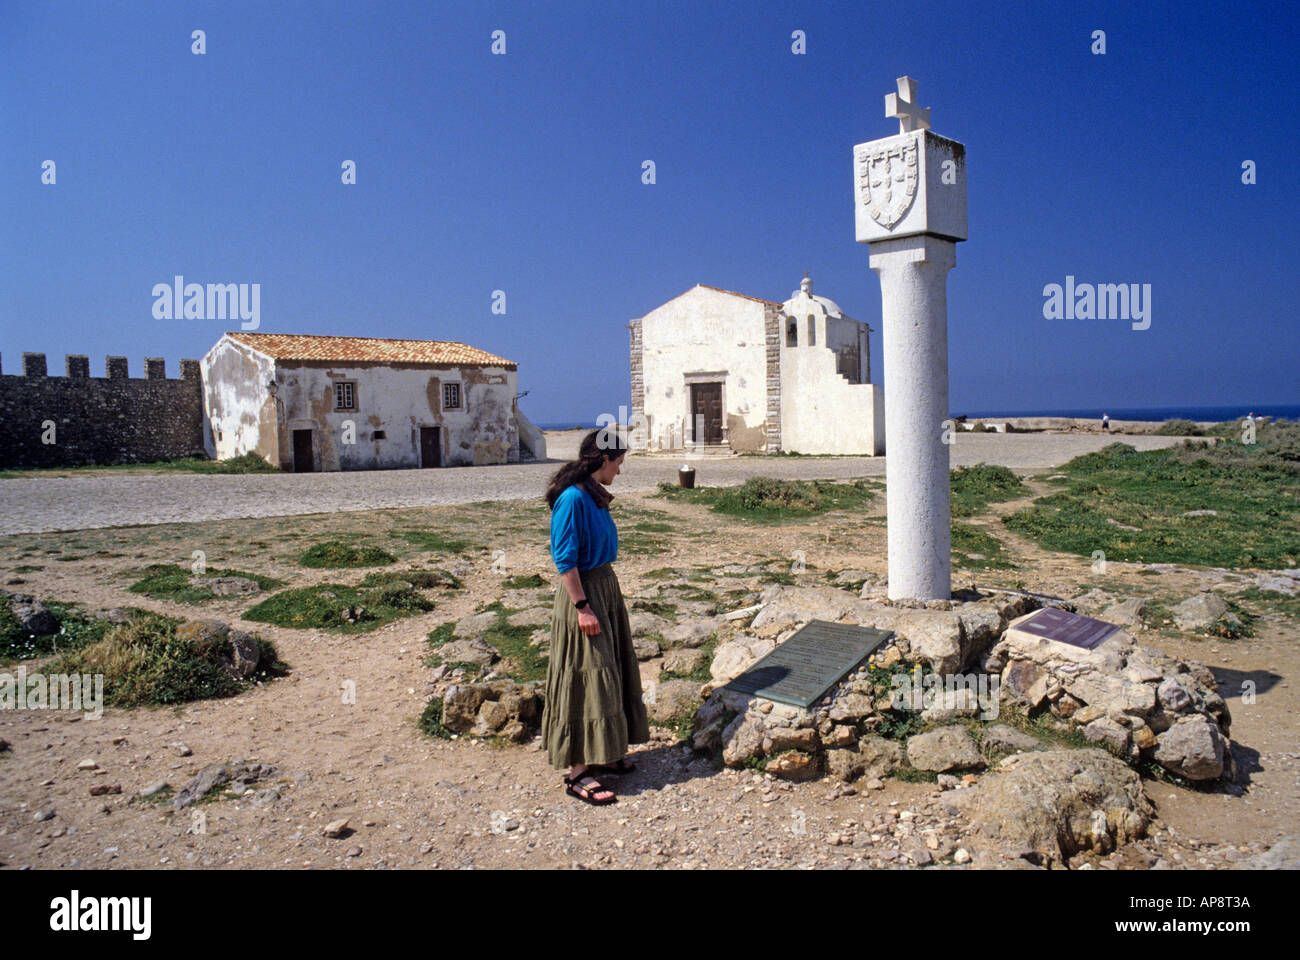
[915, 341]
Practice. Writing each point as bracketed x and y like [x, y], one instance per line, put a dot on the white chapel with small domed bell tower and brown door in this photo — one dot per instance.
[716, 371]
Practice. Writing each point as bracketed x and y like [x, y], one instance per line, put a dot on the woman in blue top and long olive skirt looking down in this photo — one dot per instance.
[593, 687]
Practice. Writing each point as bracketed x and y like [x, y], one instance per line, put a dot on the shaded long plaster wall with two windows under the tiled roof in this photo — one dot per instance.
[398, 400]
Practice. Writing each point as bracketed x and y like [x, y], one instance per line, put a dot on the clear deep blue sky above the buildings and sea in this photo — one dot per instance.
[523, 174]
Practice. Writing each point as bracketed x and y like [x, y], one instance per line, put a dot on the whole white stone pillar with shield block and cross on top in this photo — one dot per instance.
[911, 206]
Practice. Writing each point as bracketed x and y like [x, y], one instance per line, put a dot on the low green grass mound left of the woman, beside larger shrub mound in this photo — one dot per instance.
[340, 608]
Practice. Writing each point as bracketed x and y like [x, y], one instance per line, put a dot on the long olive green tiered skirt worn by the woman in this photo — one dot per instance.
[593, 687]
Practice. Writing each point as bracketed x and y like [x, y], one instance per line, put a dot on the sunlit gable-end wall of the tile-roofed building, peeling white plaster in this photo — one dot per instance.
[235, 393]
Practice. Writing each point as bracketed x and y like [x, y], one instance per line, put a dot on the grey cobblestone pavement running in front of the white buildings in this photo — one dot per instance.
[46, 504]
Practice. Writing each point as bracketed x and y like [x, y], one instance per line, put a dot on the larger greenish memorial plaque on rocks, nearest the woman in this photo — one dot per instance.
[811, 663]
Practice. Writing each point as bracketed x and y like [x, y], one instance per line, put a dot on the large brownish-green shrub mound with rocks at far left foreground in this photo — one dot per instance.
[149, 663]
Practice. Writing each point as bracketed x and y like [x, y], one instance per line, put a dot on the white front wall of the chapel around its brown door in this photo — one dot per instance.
[705, 331]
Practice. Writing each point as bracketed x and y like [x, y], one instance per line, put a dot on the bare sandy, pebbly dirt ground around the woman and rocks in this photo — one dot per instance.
[427, 803]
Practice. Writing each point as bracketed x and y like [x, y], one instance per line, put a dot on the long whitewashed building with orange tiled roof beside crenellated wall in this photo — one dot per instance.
[323, 404]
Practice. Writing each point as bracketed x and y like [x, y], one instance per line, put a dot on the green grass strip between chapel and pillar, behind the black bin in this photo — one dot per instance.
[772, 500]
